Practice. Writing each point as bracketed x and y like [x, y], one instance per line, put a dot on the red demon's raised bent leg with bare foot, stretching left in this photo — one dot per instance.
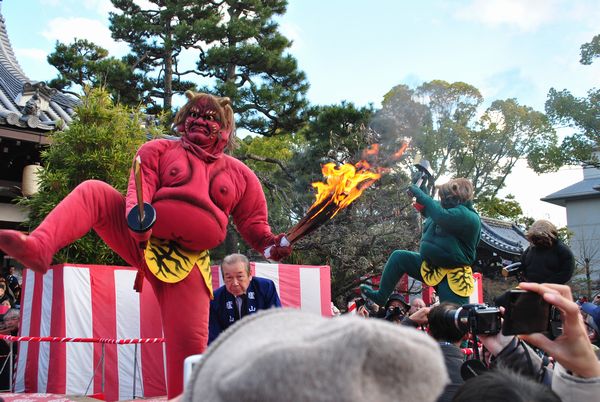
[91, 205]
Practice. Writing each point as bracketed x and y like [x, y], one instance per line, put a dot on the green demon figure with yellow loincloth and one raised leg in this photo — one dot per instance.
[451, 232]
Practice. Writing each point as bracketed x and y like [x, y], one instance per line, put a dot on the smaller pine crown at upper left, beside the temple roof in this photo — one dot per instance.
[82, 63]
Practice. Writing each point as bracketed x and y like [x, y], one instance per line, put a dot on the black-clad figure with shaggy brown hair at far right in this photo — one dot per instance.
[547, 259]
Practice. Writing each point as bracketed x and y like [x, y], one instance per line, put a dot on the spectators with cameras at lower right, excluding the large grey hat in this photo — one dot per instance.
[528, 367]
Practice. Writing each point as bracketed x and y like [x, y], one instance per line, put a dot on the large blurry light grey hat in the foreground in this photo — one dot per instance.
[299, 356]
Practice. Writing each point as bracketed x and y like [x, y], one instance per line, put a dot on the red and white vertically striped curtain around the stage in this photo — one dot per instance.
[91, 301]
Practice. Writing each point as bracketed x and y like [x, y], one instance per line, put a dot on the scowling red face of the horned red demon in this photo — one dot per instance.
[203, 128]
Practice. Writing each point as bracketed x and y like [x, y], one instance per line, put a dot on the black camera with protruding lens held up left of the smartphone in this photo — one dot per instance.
[478, 319]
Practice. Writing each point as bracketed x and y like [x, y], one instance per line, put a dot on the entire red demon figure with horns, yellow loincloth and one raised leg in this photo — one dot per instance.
[193, 187]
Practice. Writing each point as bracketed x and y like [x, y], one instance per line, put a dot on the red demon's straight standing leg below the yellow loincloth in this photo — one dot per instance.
[184, 308]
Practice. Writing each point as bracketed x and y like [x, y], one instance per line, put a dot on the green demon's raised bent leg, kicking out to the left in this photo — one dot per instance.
[399, 263]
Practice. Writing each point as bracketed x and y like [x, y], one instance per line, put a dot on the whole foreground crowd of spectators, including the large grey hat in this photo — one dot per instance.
[368, 356]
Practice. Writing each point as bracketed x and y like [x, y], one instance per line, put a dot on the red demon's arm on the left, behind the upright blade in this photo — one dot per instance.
[149, 154]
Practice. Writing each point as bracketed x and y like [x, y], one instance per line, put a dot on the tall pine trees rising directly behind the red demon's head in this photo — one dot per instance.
[241, 55]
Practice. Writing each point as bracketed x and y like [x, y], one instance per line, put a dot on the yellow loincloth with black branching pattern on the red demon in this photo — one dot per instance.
[170, 263]
